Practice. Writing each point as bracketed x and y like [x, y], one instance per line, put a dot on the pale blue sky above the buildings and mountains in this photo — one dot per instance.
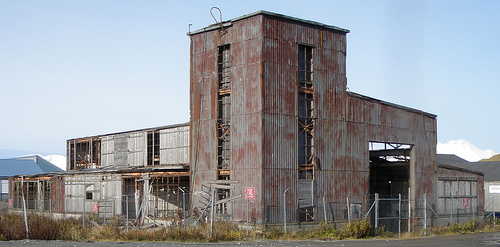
[72, 69]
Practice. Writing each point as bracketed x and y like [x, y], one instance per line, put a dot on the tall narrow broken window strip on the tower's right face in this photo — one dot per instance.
[306, 113]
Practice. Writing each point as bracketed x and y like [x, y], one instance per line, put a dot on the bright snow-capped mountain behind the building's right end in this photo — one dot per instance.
[465, 150]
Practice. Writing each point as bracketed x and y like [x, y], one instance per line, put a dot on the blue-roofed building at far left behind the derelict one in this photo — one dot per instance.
[27, 165]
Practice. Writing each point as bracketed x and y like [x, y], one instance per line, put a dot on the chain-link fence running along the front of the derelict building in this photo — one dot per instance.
[164, 208]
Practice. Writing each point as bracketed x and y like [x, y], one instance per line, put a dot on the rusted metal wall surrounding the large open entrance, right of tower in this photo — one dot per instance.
[371, 120]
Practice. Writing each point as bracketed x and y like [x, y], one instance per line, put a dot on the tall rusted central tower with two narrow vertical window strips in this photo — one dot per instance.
[261, 87]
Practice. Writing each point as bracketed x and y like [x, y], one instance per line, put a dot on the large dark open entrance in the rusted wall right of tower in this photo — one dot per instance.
[389, 177]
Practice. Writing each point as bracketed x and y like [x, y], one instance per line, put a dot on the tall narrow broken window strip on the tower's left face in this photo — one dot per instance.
[224, 113]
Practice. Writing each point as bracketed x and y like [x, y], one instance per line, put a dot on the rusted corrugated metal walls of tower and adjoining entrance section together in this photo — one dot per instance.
[264, 124]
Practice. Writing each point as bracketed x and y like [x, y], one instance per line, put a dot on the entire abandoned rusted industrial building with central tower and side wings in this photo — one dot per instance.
[270, 110]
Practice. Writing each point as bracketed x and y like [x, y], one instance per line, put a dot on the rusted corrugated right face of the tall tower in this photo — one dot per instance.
[280, 171]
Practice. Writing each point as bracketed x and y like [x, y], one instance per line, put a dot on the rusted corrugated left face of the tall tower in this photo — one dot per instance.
[245, 39]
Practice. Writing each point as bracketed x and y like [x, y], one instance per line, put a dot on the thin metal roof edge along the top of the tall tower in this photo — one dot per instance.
[268, 13]
